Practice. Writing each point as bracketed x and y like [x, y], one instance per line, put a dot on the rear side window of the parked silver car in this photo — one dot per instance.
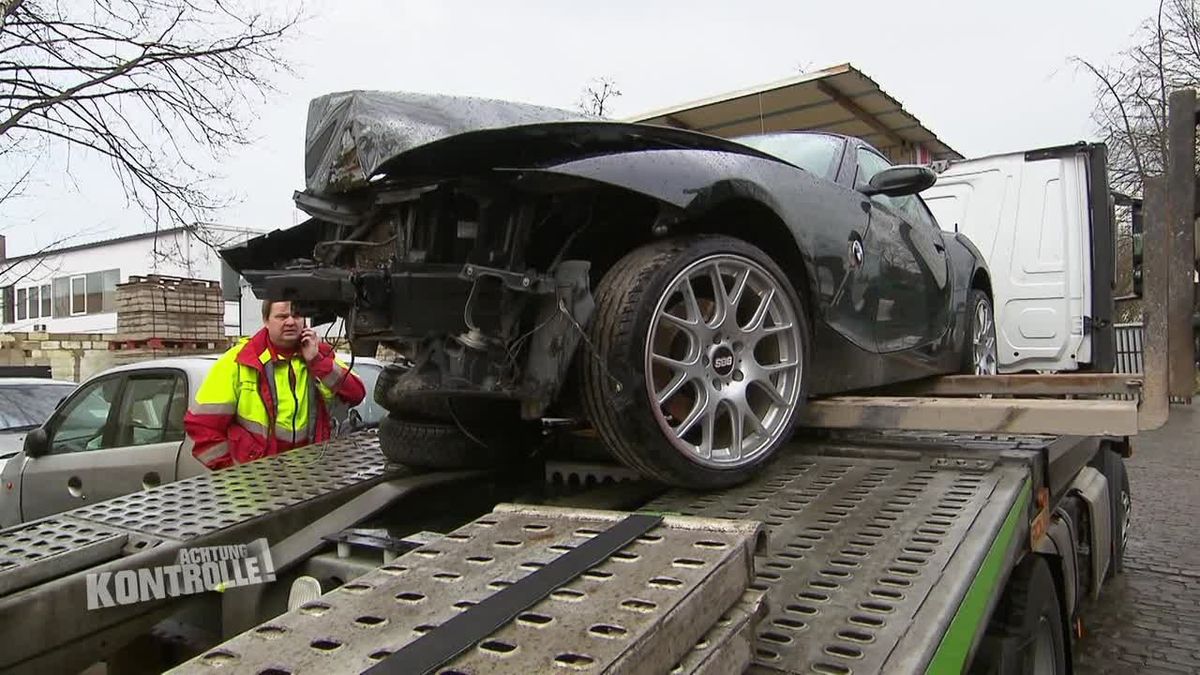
[151, 410]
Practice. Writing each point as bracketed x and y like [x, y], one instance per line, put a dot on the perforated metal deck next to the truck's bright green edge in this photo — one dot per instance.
[857, 546]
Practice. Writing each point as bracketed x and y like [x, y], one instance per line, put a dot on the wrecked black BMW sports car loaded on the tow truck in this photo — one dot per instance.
[679, 295]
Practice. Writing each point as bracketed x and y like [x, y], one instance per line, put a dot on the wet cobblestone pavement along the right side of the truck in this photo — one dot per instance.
[1149, 619]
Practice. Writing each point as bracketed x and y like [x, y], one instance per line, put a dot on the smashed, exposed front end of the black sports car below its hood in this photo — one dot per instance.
[473, 331]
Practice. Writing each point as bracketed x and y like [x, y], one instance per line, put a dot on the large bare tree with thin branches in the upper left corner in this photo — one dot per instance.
[157, 88]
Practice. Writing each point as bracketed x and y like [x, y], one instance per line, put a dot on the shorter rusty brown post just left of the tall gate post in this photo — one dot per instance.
[1155, 403]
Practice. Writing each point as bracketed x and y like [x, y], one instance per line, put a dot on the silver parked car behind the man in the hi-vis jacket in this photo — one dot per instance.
[123, 432]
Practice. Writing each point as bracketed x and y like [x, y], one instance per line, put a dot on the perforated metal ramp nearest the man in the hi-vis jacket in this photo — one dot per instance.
[44, 564]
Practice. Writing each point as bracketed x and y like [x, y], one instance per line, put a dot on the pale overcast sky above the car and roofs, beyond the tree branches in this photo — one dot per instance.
[985, 77]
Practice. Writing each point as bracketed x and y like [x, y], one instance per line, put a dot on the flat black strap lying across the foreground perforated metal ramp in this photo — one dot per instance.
[454, 637]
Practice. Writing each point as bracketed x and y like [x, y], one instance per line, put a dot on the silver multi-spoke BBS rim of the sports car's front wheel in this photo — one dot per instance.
[724, 361]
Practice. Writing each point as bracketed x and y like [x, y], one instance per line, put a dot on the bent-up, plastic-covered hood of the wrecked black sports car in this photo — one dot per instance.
[356, 136]
